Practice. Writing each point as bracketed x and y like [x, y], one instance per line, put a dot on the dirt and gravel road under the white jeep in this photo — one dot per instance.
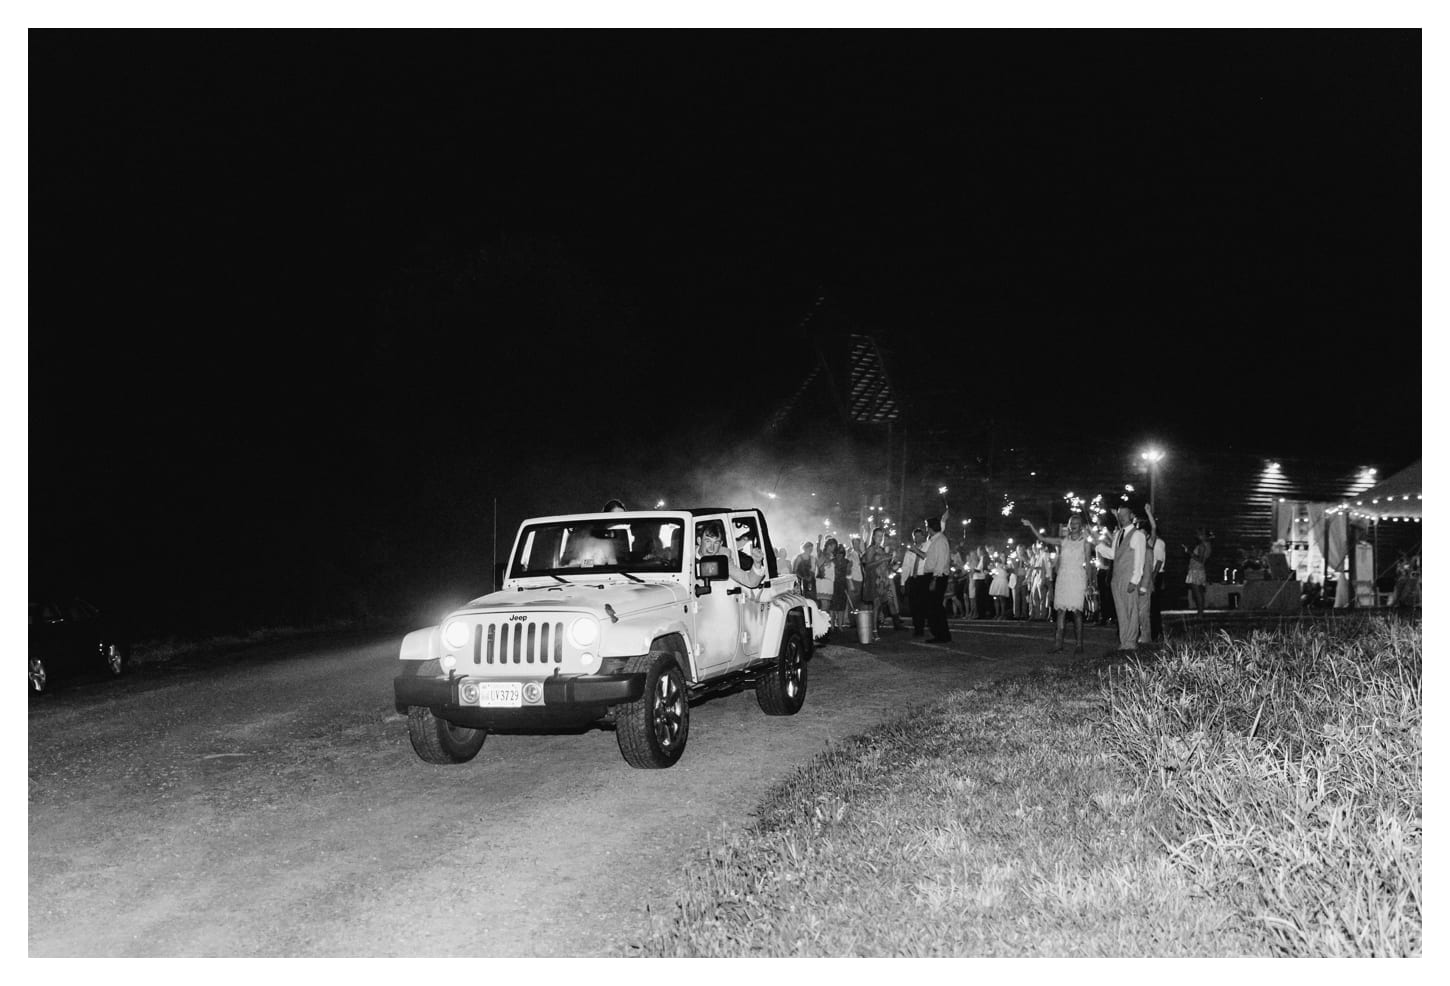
[270, 805]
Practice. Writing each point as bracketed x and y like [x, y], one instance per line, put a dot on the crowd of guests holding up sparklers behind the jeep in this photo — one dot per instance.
[1087, 575]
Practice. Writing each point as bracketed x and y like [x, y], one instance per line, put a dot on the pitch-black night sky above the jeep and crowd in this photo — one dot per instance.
[302, 305]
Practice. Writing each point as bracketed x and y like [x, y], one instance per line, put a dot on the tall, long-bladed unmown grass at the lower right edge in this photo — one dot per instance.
[1293, 763]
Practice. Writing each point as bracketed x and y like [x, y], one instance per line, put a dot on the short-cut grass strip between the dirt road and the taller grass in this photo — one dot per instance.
[988, 824]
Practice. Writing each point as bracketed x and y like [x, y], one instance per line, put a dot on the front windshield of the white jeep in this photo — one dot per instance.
[573, 549]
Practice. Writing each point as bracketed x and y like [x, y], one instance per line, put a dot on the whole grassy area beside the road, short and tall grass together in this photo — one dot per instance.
[1255, 795]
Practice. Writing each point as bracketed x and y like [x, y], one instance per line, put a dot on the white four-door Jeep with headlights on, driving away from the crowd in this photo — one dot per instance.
[613, 618]
